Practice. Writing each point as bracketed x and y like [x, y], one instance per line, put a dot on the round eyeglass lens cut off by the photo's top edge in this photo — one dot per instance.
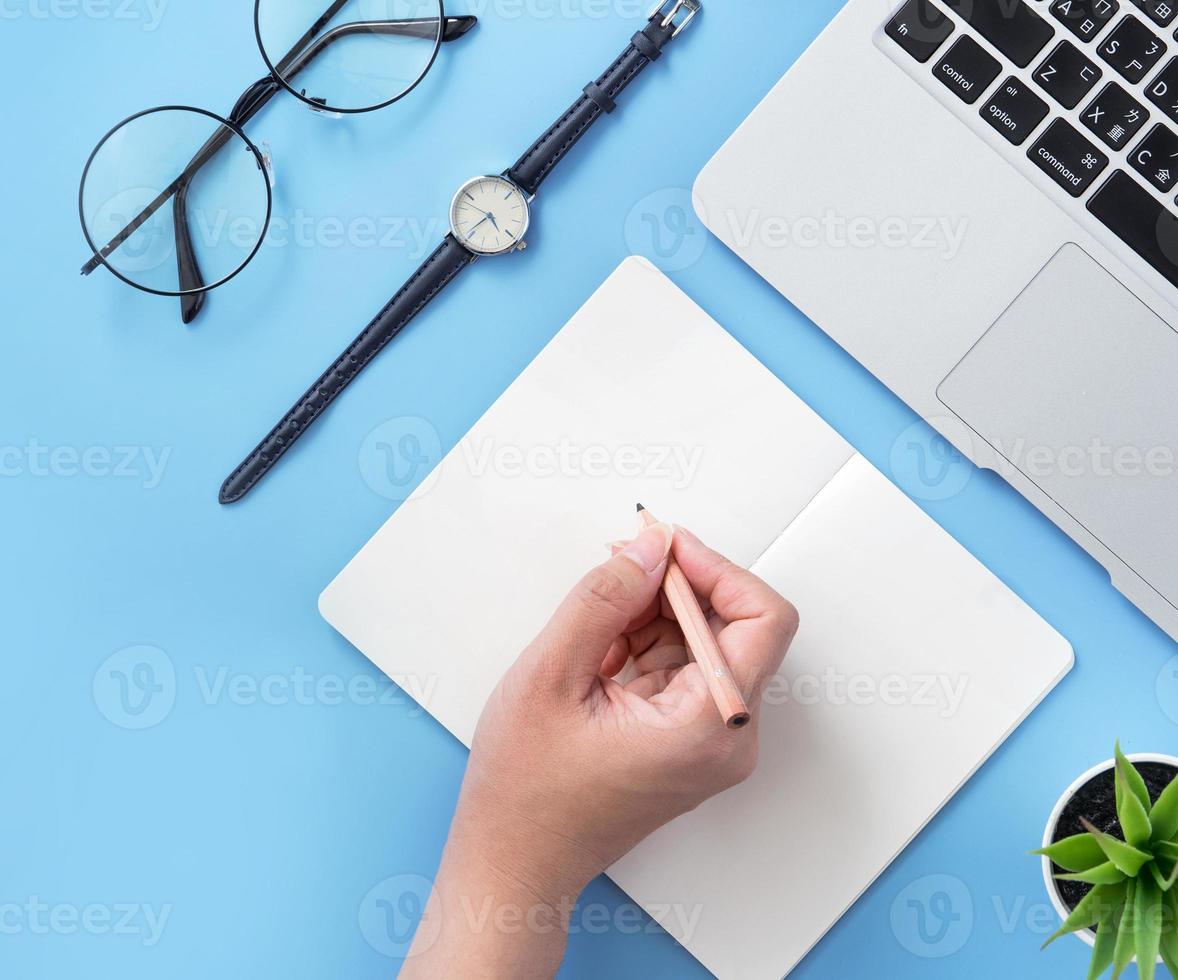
[349, 56]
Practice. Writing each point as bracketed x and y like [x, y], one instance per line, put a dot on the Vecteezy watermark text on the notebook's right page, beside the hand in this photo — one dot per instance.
[942, 693]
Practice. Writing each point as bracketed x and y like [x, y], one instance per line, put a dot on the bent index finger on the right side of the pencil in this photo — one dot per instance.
[758, 625]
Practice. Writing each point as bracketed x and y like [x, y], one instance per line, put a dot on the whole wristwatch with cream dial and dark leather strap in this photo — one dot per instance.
[489, 216]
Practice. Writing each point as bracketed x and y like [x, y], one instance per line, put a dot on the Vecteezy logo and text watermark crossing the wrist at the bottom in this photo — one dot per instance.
[396, 911]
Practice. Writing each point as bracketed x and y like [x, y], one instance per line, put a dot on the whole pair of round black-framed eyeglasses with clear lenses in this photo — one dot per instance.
[358, 56]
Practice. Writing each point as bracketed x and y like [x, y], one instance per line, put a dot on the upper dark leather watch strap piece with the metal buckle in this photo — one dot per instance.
[599, 97]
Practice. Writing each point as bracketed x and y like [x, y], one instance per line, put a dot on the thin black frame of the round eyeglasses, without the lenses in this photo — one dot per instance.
[253, 101]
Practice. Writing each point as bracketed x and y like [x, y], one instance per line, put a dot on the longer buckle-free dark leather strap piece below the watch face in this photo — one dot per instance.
[447, 262]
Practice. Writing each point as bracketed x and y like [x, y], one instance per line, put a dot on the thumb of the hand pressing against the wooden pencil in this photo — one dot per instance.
[601, 606]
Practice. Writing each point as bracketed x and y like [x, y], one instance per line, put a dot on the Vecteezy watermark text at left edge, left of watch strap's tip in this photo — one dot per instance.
[143, 463]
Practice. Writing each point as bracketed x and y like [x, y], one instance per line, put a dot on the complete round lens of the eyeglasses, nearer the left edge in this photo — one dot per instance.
[175, 201]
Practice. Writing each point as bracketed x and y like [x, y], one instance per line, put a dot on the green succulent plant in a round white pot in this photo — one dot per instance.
[1110, 860]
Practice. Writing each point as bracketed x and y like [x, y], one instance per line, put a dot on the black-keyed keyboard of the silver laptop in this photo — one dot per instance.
[1087, 89]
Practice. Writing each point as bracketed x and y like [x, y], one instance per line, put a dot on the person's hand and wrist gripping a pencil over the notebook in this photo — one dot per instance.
[572, 767]
